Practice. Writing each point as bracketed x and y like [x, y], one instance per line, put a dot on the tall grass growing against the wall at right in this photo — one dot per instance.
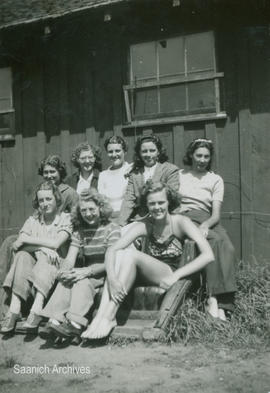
[250, 322]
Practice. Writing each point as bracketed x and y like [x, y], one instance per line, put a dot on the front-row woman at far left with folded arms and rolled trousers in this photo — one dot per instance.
[39, 247]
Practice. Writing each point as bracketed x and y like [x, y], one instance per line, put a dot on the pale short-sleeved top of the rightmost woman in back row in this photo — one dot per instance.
[198, 191]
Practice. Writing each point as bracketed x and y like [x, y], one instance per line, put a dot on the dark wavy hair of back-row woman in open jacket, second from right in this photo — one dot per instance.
[138, 162]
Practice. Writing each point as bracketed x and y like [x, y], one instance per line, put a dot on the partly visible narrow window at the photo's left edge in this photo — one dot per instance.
[6, 105]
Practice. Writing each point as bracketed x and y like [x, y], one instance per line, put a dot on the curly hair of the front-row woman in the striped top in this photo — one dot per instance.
[101, 201]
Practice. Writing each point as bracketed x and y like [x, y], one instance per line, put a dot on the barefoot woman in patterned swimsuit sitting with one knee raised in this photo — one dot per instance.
[158, 264]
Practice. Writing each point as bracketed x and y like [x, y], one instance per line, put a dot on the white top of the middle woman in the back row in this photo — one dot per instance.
[113, 183]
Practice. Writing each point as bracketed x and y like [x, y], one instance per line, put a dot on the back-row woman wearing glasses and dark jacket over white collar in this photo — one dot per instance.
[87, 159]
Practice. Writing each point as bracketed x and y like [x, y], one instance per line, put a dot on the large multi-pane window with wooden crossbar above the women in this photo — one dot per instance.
[173, 77]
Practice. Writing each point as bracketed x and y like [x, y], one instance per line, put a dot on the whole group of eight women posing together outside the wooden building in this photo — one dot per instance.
[81, 236]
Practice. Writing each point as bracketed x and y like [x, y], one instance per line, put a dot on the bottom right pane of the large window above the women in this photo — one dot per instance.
[201, 95]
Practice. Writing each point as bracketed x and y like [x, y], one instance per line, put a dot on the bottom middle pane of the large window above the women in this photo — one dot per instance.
[172, 98]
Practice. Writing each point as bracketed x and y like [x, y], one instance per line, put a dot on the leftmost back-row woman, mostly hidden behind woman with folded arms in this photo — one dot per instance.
[54, 169]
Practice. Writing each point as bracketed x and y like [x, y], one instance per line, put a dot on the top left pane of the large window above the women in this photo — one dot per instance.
[144, 62]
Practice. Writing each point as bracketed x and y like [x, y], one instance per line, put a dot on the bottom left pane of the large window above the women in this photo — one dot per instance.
[145, 101]
